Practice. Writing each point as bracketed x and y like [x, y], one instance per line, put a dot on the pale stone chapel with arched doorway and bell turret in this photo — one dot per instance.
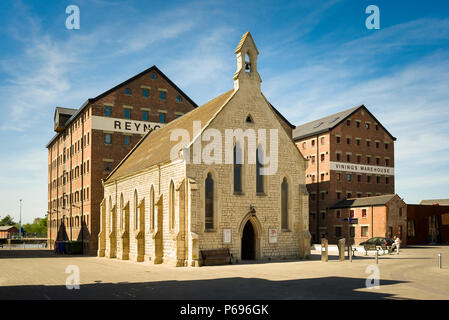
[166, 209]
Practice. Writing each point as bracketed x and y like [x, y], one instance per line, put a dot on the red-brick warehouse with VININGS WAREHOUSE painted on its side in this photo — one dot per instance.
[351, 155]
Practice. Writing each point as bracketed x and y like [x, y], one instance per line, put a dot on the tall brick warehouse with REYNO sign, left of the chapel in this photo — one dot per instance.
[92, 140]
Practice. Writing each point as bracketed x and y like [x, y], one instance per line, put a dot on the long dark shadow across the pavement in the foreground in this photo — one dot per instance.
[223, 288]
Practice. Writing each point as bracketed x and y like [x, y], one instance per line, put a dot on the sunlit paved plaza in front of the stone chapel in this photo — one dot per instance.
[39, 274]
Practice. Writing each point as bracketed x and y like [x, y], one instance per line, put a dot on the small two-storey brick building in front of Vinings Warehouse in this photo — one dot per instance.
[378, 216]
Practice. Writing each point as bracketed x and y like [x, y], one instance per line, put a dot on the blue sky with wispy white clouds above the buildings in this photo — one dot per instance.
[316, 58]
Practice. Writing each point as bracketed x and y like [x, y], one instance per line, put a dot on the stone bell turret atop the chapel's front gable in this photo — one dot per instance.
[246, 74]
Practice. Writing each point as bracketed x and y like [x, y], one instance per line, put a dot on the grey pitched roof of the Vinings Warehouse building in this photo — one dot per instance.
[328, 123]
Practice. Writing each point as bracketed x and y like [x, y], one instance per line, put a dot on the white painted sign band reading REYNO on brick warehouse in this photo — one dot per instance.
[123, 125]
